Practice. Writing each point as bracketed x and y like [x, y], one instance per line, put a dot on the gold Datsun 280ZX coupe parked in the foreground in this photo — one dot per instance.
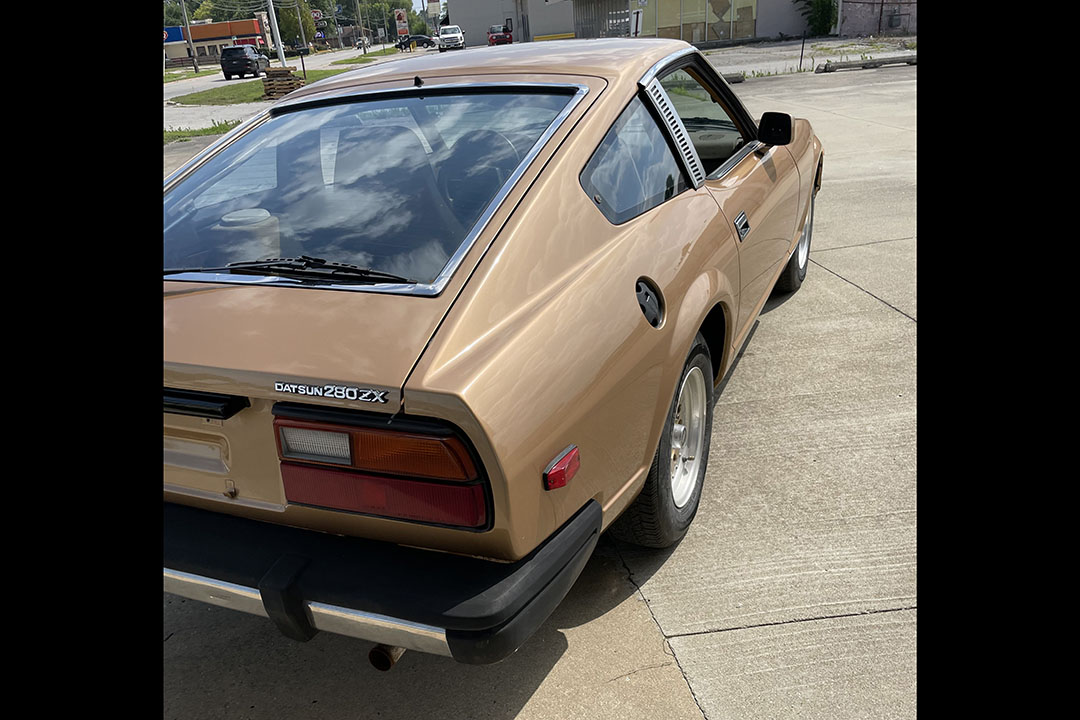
[430, 330]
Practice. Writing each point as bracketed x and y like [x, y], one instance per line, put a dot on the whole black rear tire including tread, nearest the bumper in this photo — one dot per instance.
[653, 520]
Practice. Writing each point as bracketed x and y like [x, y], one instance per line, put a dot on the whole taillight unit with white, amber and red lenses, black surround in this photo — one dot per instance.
[416, 471]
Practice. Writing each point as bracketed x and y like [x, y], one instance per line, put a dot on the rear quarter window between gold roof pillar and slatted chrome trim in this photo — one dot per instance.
[634, 169]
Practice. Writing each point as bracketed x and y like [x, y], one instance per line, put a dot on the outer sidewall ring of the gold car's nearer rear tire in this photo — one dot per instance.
[677, 521]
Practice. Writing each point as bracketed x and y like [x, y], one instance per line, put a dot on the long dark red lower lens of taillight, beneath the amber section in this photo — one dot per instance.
[412, 500]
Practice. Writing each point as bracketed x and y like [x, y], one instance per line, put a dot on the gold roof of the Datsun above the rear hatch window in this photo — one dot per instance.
[616, 60]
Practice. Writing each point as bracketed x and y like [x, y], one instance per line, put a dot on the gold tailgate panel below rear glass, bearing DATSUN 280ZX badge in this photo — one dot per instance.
[262, 346]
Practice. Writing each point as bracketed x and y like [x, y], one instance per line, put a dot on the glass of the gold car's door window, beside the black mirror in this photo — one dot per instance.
[714, 133]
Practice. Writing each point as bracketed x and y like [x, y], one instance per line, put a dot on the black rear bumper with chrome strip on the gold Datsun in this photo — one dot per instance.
[487, 610]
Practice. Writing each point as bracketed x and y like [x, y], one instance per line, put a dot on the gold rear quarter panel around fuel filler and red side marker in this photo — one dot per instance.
[547, 347]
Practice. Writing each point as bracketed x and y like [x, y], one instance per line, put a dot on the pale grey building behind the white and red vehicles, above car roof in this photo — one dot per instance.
[528, 20]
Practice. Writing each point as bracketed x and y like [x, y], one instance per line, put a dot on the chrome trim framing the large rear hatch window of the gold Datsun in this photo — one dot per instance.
[422, 290]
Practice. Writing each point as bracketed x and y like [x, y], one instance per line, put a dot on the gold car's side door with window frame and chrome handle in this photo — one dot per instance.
[757, 186]
